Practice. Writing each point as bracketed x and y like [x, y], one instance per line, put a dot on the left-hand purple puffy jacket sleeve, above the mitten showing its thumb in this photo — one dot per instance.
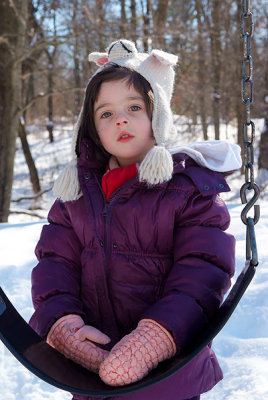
[56, 278]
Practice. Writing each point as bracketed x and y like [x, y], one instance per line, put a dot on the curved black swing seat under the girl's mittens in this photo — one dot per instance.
[51, 366]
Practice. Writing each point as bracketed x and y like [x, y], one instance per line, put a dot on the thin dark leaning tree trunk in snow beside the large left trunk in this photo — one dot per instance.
[28, 157]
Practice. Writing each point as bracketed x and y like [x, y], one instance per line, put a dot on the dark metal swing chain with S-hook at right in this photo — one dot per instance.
[248, 135]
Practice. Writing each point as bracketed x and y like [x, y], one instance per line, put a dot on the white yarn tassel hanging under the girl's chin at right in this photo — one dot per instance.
[157, 166]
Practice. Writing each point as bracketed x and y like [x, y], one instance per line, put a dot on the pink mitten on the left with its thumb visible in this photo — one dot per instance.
[71, 337]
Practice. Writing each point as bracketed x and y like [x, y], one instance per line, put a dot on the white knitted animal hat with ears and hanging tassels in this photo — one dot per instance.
[157, 69]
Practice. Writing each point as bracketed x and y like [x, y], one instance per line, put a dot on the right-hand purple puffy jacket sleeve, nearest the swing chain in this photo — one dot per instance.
[202, 269]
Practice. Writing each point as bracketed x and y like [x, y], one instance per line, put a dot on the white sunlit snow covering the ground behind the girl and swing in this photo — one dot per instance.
[242, 345]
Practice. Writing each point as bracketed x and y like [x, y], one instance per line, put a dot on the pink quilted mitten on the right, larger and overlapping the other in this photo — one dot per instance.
[137, 353]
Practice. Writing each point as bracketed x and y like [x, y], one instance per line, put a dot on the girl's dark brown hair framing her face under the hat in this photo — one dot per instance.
[112, 72]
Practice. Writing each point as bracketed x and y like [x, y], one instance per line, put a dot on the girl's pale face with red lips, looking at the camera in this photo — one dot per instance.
[122, 123]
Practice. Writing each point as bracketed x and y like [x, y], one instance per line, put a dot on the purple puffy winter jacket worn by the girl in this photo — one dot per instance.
[156, 252]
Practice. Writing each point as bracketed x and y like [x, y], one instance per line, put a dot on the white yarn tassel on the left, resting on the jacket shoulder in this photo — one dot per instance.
[66, 186]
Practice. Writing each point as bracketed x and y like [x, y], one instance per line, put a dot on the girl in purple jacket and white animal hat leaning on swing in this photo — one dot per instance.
[134, 261]
